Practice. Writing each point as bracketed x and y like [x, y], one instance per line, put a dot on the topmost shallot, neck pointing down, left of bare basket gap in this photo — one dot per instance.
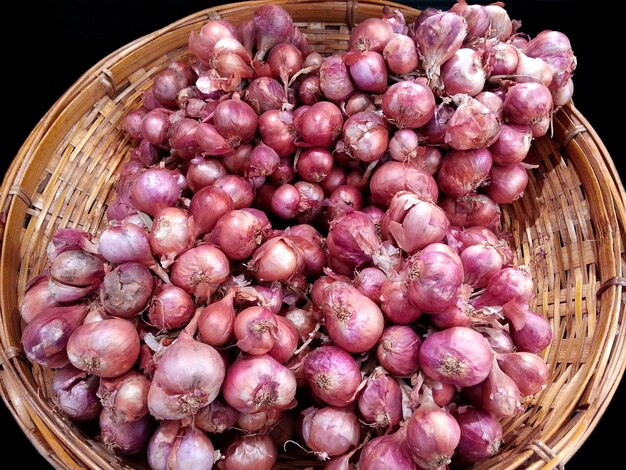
[272, 25]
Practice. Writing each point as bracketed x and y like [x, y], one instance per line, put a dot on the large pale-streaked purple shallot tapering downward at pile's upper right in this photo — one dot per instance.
[438, 37]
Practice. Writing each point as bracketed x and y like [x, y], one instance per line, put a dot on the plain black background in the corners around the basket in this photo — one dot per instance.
[47, 46]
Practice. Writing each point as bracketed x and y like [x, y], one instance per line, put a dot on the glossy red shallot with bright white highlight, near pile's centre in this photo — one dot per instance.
[278, 259]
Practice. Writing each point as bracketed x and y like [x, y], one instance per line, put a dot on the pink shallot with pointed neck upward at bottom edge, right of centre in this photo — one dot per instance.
[432, 434]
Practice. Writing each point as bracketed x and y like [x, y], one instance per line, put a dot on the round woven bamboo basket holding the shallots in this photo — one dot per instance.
[569, 228]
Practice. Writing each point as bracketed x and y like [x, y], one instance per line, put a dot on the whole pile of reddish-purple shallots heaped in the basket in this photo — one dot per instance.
[305, 251]
